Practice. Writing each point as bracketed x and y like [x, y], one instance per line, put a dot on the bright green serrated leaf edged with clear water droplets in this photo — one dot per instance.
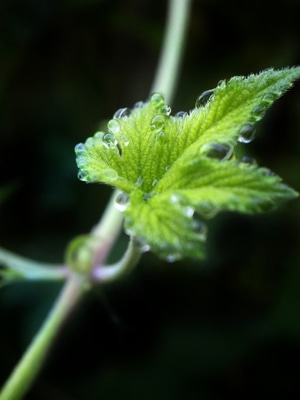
[174, 170]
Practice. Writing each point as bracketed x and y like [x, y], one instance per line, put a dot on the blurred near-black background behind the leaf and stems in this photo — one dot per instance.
[225, 328]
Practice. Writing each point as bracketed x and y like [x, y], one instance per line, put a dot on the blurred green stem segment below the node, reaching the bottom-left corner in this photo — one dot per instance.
[32, 361]
